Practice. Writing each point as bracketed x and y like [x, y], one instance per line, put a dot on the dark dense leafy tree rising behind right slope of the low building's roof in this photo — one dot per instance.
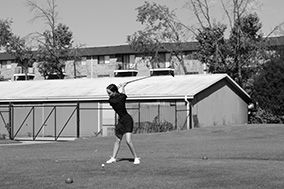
[247, 47]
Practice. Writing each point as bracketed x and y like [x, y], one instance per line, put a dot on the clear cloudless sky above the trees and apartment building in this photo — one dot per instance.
[109, 22]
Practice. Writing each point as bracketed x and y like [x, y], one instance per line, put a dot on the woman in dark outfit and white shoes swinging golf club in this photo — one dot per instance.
[125, 122]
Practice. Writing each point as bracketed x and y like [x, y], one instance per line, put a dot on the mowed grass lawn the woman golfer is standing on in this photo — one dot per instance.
[244, 156]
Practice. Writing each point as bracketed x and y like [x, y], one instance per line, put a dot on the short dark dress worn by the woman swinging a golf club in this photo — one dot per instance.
[125, 121]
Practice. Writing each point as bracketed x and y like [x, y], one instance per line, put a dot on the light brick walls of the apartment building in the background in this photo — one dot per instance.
[89, 67]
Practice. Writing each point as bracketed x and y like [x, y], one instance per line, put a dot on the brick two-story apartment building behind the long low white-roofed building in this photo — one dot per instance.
[110, 61]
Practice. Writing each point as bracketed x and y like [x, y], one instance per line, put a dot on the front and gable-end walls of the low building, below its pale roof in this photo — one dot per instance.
[217, 105]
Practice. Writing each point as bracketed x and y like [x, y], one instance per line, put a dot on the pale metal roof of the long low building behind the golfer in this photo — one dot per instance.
[155, 87]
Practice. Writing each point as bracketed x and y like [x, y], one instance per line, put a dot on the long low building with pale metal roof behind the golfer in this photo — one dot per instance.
[79, 107]
